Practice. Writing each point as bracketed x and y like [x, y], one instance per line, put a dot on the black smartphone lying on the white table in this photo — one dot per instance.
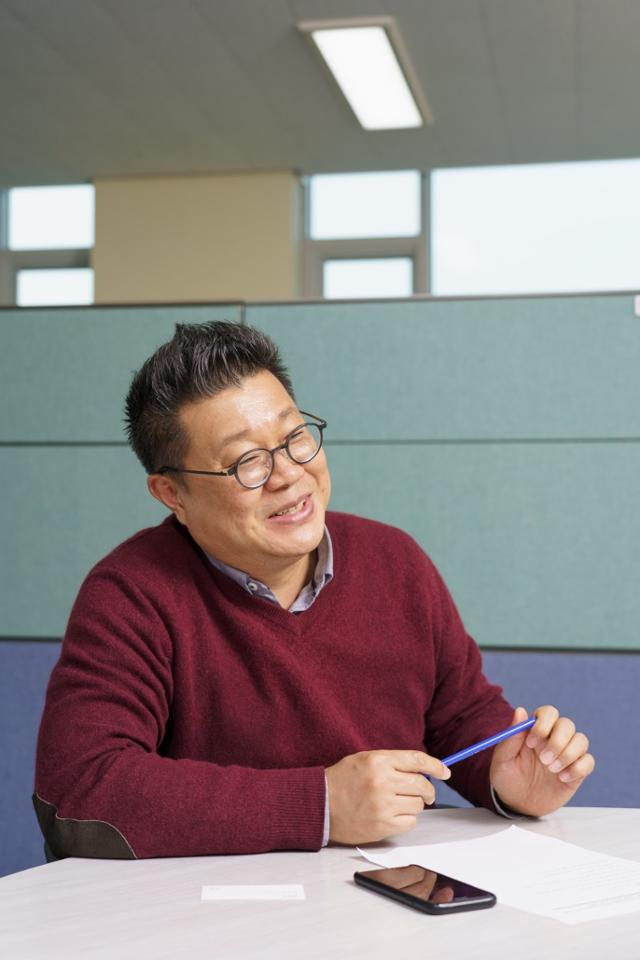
[425, 890]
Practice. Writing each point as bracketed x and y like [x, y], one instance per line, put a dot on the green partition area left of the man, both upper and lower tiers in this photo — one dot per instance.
[72, 489]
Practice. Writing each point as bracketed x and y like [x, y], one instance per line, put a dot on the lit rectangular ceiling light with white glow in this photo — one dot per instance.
[370, 64]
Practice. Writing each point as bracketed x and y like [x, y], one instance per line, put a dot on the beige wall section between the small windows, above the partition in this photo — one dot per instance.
[197, 238]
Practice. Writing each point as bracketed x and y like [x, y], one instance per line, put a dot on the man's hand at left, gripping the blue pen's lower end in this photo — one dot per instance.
[378, 793]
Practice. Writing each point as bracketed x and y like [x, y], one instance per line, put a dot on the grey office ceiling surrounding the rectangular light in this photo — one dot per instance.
[96, 88]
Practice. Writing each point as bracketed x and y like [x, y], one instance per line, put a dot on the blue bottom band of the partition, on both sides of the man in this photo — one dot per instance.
[597, 690]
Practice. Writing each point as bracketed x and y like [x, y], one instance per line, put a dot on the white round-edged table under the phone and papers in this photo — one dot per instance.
[151, 909]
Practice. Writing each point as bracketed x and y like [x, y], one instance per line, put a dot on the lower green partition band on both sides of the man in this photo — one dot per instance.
[516, 530]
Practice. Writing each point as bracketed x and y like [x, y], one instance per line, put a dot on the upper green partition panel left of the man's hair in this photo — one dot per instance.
[65, 372]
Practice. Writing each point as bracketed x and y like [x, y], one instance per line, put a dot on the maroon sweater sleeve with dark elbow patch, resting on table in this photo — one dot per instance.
[102, 786]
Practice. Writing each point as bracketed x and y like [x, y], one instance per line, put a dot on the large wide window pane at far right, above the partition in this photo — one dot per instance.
[536, 228]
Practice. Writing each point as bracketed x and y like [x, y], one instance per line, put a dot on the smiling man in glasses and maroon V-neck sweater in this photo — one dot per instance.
[253, 674]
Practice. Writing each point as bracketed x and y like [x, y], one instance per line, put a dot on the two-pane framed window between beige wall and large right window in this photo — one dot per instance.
[365, 235]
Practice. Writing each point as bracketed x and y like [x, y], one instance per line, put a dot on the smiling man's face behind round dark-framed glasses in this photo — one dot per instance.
[234, 524]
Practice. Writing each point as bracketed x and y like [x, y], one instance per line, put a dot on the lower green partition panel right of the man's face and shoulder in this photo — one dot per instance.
[539, 544]
